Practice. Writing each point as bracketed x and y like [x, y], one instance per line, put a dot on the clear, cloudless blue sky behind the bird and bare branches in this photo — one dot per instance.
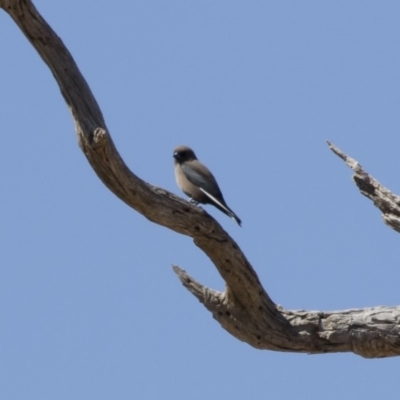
[89, 305]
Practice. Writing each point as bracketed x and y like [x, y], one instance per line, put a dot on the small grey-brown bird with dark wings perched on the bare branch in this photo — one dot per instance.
[197, 182]
